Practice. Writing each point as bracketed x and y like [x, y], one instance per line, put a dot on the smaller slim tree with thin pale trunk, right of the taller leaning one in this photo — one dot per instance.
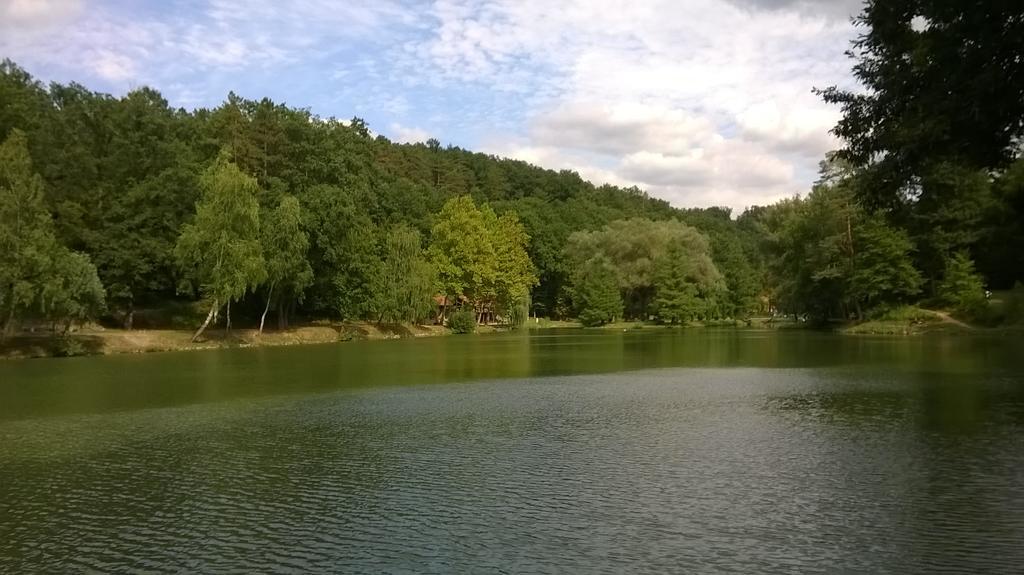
[285, 246]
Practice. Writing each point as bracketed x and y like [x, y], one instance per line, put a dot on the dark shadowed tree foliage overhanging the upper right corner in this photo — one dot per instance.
[944, 82]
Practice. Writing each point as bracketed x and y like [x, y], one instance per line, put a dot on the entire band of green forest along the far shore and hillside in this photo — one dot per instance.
[113, 206]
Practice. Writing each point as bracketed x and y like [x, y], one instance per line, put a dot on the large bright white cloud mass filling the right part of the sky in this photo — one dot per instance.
[702, 103]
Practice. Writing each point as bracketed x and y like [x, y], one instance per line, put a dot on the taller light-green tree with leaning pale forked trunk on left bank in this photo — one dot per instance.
[221, 250]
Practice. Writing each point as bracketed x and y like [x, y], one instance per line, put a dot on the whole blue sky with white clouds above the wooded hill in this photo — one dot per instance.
[699, 102]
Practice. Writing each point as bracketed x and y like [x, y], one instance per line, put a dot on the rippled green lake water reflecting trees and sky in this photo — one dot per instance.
[686, 452]
